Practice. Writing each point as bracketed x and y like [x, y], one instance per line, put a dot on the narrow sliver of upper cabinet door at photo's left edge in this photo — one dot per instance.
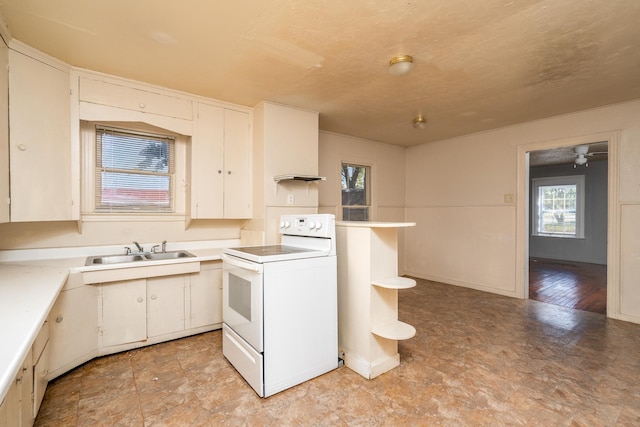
[4, 133]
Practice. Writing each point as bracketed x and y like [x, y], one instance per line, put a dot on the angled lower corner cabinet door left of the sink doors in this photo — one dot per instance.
[73, 329]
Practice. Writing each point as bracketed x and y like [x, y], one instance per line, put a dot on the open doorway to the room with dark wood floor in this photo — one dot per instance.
[567, 189]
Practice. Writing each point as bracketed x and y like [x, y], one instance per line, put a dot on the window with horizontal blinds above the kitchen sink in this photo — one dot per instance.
[134, 171]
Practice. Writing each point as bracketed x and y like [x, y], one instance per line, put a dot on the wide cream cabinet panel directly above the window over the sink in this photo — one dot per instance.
[105, 93]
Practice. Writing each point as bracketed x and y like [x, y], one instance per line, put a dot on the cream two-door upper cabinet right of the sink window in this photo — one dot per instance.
[220, 164]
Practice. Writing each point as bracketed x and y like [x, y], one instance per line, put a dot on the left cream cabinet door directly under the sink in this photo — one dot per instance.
[124, 312]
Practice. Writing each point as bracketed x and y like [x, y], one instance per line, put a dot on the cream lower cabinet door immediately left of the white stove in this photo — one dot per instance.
[206, 295]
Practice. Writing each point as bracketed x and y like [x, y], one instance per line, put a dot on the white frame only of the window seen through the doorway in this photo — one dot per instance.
[537, 183]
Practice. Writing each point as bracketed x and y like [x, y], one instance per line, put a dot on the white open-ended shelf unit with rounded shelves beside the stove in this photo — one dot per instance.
[368, 284]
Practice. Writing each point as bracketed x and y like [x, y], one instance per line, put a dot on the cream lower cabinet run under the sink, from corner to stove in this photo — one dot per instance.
[98, 319]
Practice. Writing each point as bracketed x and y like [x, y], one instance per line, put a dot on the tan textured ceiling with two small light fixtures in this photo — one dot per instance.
[478, 65]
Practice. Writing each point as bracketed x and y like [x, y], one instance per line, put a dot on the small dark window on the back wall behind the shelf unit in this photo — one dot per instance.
[356, 197]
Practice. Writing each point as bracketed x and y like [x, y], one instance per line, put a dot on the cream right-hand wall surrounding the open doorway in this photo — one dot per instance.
[468, 235]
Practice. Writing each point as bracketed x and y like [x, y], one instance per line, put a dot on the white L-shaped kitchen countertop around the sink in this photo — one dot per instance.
[30, 287]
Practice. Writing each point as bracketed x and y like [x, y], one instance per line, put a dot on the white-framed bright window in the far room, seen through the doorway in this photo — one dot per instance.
[559, 206]
